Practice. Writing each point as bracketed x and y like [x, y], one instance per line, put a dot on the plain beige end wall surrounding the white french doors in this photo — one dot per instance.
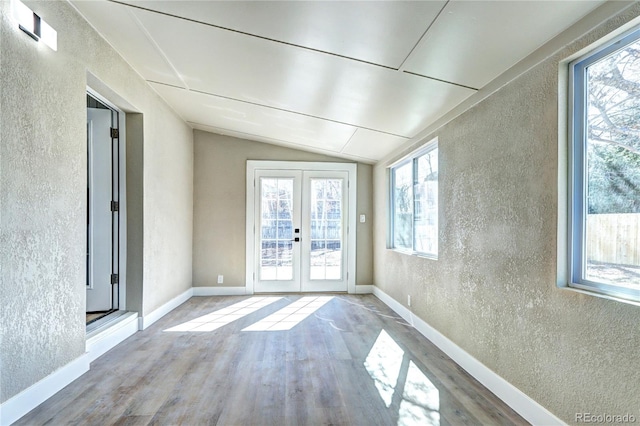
[220, 206]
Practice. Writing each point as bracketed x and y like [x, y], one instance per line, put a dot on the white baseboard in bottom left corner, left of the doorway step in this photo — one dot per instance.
[16, 407]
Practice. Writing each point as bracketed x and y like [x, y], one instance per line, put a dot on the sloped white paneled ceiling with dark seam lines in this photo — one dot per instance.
[350, 79]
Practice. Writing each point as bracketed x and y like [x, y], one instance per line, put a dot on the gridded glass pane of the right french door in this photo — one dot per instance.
[326, 229]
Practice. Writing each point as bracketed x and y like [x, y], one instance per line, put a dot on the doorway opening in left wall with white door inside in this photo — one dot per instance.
[105, 295]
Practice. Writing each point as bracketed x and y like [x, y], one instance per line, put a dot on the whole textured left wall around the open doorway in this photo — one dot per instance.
[43, 198]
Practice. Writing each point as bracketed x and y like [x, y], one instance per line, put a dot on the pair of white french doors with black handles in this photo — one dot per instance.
[301, 223]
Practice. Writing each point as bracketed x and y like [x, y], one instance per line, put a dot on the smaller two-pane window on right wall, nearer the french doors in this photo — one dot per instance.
[414, 202]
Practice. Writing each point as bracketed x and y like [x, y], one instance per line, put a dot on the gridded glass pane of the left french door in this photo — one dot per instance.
[276, 255]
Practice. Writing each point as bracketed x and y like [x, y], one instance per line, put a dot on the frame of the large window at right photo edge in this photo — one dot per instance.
[576, 207]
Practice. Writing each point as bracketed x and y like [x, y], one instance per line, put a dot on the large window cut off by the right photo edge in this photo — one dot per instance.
[605, 170]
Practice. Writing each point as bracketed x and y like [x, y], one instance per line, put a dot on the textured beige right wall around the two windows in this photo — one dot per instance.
[493, 289]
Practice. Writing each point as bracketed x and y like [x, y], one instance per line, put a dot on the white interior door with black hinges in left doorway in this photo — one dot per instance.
[100, 241]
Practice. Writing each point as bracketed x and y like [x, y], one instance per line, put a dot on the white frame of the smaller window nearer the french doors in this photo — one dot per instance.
[411, 159]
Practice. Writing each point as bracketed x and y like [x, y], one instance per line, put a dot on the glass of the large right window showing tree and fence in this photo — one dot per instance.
[612, 210]
